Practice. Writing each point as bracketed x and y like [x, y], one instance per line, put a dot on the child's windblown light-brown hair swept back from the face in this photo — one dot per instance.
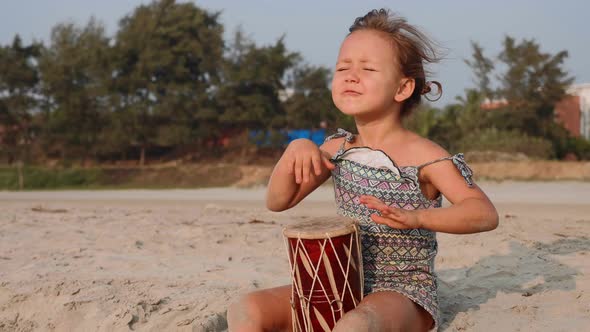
[413, 47]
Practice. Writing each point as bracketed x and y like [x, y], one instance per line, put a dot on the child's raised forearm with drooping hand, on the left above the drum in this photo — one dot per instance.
[302, 168]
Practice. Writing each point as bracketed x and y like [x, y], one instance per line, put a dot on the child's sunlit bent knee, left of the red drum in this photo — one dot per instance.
[244, 315]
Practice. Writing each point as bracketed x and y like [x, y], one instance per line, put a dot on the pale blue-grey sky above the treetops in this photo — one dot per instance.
[316, 28]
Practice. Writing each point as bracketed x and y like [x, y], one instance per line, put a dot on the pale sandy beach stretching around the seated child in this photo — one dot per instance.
[172, 260]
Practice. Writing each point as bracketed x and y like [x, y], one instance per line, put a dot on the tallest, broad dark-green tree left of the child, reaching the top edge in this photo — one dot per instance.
[167, 61]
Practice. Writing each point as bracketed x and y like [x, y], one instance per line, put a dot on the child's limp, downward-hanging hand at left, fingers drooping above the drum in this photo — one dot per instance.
[302, 155]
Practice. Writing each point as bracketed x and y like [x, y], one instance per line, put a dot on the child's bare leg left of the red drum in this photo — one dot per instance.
[264, 310]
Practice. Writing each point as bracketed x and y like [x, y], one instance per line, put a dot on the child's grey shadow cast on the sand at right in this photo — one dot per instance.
[461, 289]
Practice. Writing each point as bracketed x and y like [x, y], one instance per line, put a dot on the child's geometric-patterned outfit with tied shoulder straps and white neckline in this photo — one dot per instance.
[393, 259]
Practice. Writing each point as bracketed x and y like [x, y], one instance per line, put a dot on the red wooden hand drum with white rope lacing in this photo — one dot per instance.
[326, 271]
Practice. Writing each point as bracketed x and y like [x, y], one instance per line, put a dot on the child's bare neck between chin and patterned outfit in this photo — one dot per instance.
[374, 132]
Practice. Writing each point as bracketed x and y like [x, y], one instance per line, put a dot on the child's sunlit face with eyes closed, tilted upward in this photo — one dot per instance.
[366, 78]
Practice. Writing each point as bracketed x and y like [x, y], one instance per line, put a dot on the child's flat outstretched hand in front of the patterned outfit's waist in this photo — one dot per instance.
[392, 217]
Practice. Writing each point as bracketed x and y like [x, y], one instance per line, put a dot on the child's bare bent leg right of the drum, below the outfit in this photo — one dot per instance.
[386, 311]
